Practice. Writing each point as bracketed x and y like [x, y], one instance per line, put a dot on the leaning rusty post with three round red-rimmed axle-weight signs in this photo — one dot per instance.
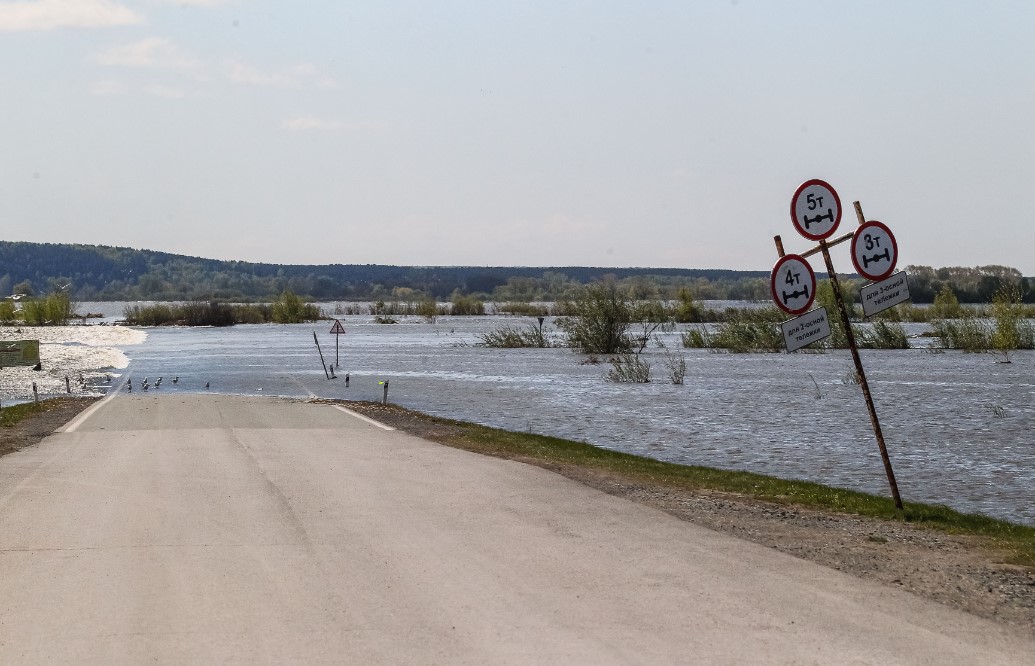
[816, 214]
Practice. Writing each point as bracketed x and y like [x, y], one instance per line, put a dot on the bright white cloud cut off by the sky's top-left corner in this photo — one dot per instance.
[51, 15]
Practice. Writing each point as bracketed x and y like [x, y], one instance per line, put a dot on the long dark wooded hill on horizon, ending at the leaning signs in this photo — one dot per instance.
[103, 273]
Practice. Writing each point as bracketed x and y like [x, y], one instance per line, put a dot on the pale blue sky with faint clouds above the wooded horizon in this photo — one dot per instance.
[530, 133]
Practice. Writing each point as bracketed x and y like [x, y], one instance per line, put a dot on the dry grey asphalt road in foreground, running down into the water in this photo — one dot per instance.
[189, 529]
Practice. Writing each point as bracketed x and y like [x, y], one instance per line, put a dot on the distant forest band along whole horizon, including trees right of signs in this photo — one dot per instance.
[101, 273]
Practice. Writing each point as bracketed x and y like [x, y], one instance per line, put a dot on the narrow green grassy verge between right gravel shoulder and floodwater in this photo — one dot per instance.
[1017, 542]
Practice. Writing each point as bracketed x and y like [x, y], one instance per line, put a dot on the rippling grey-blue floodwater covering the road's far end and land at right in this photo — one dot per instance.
[958, 426]
